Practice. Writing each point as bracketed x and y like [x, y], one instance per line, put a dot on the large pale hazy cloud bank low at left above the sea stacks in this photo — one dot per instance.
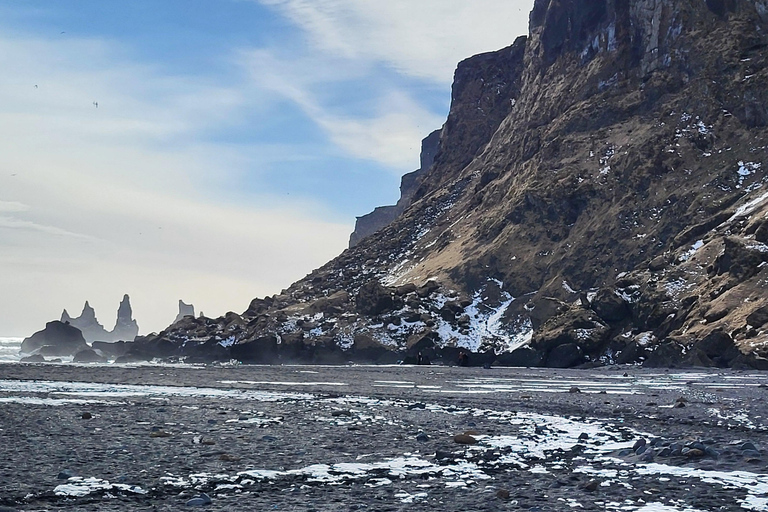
[135, 195]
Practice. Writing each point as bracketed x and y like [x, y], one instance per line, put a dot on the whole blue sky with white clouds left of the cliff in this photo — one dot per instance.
[209, 150]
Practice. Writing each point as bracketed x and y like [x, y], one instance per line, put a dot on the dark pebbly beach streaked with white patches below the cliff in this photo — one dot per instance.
[381, 438]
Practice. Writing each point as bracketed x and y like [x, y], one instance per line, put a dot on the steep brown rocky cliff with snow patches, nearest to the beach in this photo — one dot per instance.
[598, 196]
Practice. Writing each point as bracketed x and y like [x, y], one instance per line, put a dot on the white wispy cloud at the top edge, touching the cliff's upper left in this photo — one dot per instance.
[423, 39]
